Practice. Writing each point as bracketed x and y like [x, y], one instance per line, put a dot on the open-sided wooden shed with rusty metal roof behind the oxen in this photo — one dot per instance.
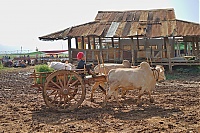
[134, 35]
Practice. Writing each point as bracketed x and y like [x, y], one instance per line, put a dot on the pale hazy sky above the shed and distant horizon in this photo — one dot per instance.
[23, 21]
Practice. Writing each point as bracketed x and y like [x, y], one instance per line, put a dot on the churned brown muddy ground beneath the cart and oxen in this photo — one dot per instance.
[176, 109]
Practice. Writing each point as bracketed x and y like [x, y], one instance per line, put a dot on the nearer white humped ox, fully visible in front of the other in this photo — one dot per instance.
[143, 78]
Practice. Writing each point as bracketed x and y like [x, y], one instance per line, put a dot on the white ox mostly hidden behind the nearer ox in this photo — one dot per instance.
[104, 69]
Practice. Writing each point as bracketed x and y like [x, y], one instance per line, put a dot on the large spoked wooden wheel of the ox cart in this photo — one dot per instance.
[64, 90]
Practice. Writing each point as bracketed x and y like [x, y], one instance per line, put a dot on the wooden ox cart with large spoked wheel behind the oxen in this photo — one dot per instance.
[64, 90]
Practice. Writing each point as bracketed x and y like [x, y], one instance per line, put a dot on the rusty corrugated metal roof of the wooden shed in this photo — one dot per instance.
[149, 23]
